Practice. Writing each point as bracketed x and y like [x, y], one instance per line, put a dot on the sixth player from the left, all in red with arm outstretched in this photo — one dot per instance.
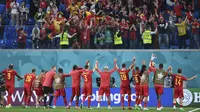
[76, 84]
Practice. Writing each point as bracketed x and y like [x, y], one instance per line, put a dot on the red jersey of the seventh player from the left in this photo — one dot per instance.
[87, 76]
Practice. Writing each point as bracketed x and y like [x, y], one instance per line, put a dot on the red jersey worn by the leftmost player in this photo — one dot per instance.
[9, 76]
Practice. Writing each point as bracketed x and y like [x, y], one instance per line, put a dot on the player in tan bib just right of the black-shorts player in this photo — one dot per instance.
[59, 86]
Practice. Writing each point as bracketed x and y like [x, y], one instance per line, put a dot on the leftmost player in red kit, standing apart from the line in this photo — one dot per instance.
[9, 75]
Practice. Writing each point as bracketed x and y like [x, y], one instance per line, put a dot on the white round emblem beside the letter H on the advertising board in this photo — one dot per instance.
[188, 97]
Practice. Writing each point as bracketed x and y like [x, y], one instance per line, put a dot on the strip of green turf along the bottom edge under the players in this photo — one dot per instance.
[103, 109]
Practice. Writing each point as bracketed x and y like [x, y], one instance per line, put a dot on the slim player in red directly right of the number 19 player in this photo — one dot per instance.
[136, 77]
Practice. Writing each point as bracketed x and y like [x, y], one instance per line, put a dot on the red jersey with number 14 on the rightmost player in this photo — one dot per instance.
[178, 80]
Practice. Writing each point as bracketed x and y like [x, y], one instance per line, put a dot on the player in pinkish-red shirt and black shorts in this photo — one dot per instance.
[47, 85]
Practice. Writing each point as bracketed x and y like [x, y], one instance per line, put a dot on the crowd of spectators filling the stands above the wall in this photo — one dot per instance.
[93, 24]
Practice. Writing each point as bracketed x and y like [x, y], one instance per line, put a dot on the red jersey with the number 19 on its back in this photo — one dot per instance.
[124, 77]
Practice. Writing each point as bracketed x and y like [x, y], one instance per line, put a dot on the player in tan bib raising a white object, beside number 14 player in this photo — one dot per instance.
[158, 80]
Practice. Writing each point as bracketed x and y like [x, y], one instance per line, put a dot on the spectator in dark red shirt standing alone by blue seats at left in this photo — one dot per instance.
[21, 38]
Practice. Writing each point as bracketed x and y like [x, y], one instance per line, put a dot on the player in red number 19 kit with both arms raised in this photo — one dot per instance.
[125, 83]
